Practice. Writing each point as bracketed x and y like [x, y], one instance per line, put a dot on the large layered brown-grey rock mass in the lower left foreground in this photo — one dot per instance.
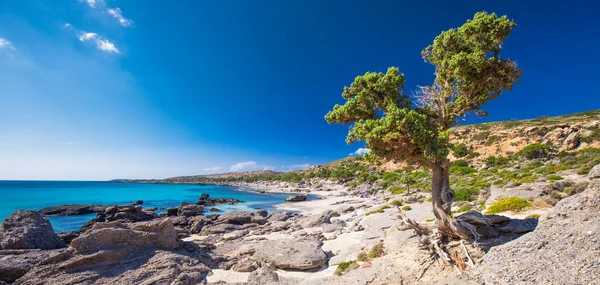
[118, 253]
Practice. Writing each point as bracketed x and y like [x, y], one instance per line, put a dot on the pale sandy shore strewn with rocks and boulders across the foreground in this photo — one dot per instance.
[339, 238]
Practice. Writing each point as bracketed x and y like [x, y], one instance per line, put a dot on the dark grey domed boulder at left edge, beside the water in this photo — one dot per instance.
[26, 229]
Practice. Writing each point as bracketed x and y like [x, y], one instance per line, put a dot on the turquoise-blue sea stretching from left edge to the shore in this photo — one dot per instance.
[35, 195]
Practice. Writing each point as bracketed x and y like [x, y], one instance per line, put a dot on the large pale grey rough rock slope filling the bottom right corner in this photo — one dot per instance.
[563, 249]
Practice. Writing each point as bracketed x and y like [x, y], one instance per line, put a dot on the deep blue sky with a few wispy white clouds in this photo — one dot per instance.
[148, 89]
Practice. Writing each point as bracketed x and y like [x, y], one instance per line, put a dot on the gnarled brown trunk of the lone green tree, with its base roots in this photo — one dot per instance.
[442, 197]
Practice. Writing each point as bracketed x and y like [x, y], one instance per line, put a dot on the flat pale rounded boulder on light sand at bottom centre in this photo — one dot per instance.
[300, 254]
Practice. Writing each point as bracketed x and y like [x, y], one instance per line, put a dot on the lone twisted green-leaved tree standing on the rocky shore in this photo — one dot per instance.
[469, 72]
